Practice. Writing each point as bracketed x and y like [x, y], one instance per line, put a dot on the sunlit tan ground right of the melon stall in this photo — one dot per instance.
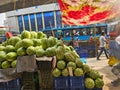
[105, 70]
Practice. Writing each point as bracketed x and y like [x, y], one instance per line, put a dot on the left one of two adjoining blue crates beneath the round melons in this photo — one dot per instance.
[61, 83]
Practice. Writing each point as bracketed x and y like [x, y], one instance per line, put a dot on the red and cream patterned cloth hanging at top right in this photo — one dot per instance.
[84, 12]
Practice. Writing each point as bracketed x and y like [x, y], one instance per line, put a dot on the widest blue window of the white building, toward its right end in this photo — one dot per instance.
[49, 20]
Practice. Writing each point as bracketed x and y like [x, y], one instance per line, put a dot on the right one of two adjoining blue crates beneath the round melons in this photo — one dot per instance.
[77, 83]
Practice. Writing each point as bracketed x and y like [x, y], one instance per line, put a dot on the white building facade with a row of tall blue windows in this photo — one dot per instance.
[37, 18]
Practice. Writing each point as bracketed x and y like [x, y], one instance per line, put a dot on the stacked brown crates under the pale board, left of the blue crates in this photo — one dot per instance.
[45, 75]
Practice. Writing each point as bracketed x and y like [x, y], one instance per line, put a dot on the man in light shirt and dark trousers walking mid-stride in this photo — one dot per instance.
[102, 41]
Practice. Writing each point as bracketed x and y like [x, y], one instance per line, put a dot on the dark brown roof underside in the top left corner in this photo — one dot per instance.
[9, 5]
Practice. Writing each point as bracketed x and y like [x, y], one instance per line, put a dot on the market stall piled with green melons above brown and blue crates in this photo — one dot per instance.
[41, 63]
